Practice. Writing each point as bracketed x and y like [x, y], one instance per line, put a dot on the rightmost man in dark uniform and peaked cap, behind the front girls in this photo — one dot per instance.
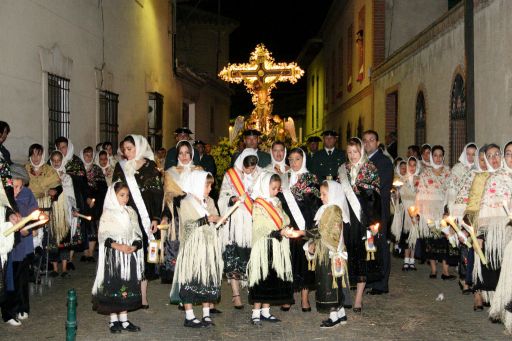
[326, 161]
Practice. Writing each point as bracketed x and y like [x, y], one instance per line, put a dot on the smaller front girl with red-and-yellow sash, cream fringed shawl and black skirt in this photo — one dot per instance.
[269, 267]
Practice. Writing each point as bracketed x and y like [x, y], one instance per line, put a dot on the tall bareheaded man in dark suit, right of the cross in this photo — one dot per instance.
[385, 170]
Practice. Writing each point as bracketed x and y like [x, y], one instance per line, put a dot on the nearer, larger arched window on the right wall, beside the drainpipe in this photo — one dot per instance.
[457, 119]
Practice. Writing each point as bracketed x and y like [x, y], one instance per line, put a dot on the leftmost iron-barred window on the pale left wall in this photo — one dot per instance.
[58, 108]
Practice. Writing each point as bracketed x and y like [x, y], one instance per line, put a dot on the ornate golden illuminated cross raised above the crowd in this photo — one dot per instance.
[261, 74]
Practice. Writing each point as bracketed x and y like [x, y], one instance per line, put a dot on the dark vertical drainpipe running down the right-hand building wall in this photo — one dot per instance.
[469, 49]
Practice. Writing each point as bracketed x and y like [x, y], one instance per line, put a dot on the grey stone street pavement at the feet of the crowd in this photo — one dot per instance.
[409, 312]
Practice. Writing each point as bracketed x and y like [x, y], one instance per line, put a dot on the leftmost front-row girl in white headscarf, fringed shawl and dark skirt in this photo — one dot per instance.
[116, 289]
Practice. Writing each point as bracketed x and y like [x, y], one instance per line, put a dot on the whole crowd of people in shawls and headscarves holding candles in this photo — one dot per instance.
[290, 221]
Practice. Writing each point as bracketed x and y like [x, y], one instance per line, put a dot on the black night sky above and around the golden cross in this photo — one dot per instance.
[283, 26]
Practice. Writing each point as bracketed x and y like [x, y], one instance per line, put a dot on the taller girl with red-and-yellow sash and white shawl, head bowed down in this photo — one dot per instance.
[236, 235]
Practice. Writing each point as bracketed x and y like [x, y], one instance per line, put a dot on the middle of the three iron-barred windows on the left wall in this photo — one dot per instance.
[108, 117]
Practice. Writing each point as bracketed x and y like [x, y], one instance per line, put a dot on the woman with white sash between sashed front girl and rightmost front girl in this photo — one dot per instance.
[301, 199]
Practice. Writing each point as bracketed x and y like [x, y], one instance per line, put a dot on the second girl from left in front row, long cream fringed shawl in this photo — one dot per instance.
[198, 275]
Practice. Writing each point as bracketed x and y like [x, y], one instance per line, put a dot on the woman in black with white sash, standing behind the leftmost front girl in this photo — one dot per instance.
[139, 172]
